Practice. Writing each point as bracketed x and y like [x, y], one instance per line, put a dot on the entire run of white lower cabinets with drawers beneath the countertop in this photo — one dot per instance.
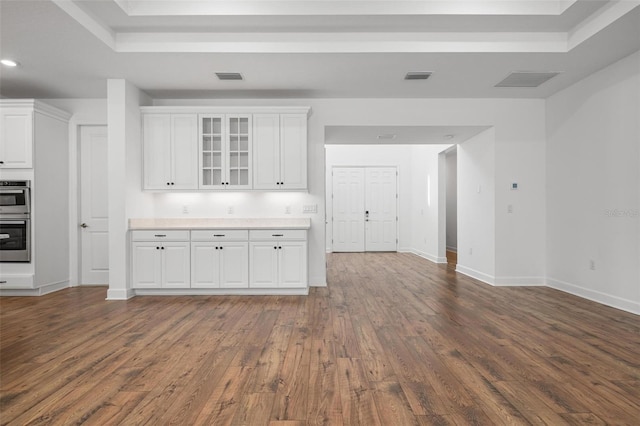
[236, 260]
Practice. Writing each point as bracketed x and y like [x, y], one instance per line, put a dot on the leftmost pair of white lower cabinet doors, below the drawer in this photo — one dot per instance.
[161, 264]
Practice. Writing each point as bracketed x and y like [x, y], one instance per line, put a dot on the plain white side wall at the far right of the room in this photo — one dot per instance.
[593, 196]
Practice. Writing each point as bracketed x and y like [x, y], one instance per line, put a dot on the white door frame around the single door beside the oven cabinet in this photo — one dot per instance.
[75, 125]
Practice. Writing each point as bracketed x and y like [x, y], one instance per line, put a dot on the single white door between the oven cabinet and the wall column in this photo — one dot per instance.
[94, 253]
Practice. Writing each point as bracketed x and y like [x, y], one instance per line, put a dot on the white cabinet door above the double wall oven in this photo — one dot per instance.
[16, 138]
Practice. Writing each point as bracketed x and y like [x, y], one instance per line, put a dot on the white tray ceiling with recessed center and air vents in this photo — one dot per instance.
[308, 48]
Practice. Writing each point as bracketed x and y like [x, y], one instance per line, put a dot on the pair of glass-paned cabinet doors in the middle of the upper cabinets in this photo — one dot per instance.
[225, 151]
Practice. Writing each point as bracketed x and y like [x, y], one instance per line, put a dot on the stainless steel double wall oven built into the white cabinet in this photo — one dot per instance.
[15, 221]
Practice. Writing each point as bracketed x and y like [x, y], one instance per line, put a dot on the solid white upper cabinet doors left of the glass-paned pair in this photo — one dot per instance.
[170, 151]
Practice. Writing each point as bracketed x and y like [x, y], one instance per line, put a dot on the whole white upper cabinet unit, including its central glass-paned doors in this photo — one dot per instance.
[216, 148]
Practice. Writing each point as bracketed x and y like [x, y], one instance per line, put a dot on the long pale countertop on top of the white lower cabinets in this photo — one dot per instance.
[220, 223]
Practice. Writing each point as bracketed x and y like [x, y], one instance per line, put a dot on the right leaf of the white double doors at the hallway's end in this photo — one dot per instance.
[380, 209]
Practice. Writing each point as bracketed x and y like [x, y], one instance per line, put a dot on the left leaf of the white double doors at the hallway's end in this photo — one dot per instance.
[348, 209]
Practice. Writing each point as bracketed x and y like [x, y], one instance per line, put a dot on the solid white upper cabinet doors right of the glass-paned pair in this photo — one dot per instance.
[280, 151]
